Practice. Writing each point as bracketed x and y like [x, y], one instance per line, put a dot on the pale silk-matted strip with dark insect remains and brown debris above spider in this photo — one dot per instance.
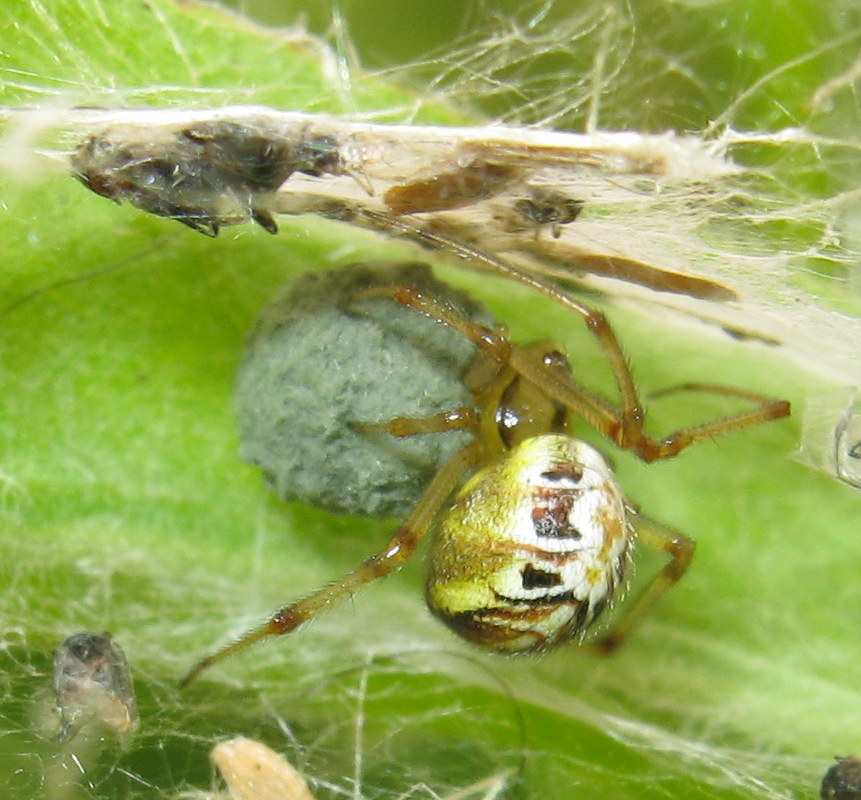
[529, 196]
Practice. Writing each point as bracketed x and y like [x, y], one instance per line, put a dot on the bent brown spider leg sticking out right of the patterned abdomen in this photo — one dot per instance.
[680, 550]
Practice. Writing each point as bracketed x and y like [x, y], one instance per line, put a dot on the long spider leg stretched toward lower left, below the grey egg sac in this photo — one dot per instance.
[399, 548]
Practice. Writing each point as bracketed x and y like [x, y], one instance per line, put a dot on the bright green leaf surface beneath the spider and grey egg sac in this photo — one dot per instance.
[124, 507]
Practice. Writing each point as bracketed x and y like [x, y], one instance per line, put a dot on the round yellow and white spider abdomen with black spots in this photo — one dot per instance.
[532, 549]
